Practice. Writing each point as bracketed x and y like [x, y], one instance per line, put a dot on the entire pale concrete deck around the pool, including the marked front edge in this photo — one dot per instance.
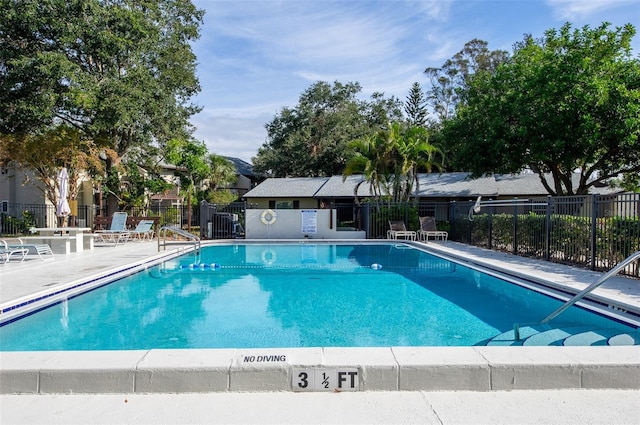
[399, 385]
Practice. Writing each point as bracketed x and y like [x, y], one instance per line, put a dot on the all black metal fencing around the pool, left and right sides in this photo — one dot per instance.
[594, 231]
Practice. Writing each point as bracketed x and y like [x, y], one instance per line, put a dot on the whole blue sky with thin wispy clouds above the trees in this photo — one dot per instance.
[256, 57]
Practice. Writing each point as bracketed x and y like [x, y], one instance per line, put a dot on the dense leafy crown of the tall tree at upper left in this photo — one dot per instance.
[121, 72]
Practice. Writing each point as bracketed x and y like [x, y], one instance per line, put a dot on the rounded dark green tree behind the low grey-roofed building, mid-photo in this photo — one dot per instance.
[311, 139]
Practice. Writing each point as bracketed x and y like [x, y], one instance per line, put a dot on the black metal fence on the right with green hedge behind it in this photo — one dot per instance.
[593, 231]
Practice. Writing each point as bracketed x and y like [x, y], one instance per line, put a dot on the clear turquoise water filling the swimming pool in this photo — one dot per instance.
[291, 295]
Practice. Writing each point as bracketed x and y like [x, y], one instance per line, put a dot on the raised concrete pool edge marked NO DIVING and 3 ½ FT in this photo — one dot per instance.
[375, 369]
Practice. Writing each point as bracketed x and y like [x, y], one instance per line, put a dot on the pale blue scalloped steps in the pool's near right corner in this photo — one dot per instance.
[546, 335]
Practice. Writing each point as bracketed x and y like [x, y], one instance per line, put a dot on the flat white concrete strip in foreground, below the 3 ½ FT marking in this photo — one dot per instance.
[566, 407]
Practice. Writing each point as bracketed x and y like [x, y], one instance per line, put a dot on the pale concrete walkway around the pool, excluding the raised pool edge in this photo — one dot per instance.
[461, 407]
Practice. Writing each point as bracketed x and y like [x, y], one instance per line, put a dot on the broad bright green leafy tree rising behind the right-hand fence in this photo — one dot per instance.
[570, 101]
